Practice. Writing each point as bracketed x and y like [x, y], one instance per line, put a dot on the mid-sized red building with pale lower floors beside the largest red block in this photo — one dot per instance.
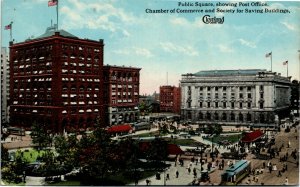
[121, 94]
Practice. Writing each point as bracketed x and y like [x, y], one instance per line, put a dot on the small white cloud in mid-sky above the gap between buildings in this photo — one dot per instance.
[175, 48]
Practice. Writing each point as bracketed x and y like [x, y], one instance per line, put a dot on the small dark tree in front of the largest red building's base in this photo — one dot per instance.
[40, 136]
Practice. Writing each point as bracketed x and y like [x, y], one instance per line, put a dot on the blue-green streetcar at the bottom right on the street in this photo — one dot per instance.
[236, 172]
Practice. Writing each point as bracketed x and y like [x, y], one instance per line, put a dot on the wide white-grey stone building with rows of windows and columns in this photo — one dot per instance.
[235, 97]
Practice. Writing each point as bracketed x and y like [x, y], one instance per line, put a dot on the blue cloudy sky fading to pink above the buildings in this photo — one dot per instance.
[167, 45]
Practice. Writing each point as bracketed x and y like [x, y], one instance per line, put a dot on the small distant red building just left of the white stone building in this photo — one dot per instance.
[169, 98]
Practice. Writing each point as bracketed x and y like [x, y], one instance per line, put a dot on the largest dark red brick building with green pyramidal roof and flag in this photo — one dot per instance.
[56, 79]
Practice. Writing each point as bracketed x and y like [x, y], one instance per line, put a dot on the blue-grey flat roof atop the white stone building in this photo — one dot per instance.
[229, 72]
